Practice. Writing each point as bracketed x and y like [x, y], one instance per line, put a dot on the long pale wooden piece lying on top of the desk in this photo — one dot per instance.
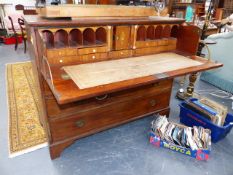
[75, 11]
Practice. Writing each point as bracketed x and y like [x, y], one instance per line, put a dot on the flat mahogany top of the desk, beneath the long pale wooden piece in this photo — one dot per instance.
[36, 21]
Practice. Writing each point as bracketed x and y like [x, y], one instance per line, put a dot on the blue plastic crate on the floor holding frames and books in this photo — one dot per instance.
[191, 118]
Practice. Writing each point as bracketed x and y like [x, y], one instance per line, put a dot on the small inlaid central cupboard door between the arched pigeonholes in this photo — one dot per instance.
[121, 39]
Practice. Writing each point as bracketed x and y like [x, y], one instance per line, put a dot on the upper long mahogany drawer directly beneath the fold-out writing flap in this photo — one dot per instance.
[58, 111]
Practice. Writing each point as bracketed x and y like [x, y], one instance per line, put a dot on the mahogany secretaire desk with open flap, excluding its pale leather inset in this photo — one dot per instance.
[70, 112]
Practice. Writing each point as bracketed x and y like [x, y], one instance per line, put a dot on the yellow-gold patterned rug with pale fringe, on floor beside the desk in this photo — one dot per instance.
[25, 131]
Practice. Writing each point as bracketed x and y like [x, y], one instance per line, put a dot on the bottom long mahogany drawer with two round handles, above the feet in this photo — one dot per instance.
[81, 124]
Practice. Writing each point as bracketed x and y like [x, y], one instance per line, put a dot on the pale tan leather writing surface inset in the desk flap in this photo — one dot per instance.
[106, 72]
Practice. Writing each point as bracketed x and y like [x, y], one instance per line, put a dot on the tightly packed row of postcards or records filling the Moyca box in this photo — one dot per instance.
[194, 138]
